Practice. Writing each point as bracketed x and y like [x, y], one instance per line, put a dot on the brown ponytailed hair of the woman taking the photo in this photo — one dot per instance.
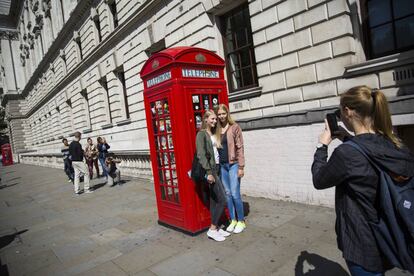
[371, 103]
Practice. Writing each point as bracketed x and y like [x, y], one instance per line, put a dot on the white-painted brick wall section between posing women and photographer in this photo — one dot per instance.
[278, 164]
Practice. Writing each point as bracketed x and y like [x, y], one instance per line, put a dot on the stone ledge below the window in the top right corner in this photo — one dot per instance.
[379, 64]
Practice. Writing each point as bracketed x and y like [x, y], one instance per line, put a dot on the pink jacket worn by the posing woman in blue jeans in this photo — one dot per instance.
[235, 145]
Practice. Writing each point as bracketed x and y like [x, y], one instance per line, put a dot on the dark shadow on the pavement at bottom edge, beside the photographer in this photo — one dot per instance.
[315, 265]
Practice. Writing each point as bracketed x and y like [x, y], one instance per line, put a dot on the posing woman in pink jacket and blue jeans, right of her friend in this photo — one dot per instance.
[232, 167]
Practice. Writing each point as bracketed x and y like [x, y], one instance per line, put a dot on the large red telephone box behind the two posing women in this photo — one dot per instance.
[179, 85]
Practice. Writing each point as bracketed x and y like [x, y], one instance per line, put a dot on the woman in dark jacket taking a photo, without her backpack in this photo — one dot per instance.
[364, 112]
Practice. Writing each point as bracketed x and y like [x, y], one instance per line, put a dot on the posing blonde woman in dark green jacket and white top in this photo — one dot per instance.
[207, 142]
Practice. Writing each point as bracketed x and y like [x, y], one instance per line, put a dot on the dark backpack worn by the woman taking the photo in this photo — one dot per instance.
[394, 232]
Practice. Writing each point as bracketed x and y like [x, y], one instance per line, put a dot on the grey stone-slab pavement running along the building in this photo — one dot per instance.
[47, 230]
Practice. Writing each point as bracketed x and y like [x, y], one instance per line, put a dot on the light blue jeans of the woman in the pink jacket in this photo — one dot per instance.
[231, 183]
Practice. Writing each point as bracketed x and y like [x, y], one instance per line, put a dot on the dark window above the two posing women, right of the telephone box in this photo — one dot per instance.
[239, 50]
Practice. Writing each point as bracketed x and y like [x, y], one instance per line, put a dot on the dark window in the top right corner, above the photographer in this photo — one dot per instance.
[389, 26]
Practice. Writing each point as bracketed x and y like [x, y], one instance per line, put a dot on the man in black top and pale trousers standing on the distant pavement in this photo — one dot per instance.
[76, 151]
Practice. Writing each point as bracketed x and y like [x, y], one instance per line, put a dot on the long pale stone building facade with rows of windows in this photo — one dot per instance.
[72, 65]
